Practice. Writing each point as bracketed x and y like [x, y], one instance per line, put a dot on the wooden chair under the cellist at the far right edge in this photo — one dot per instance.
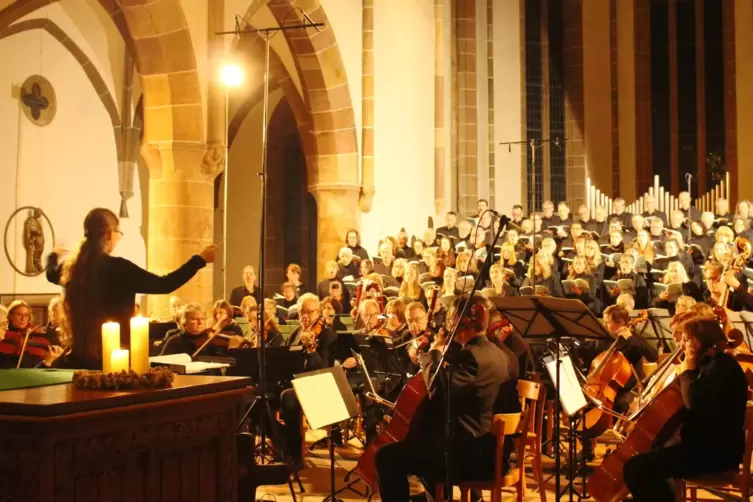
[732, 481]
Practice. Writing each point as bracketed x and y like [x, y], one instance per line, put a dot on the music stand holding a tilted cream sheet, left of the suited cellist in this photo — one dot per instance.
[326, 399]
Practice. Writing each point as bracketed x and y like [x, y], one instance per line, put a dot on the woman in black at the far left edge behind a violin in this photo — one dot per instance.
[19, 322]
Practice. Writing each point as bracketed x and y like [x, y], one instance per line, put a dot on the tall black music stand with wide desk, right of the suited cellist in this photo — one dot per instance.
[548, 317]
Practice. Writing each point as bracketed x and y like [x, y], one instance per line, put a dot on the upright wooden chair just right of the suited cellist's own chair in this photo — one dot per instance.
[533, 402]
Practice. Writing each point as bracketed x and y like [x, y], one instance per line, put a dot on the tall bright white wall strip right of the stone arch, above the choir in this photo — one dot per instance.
[404, 119]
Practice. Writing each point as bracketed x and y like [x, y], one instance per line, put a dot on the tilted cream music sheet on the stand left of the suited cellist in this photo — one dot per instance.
[320, 400]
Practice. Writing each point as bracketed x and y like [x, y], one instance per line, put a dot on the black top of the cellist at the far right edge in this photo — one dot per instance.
[715, 394]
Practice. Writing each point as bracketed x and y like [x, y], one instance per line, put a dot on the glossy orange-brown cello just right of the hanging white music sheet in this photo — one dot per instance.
[610, 372]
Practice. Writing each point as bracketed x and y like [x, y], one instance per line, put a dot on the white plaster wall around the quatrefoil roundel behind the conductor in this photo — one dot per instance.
[66, 168]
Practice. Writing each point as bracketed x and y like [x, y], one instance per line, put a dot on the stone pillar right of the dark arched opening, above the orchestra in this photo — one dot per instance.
[337, 205]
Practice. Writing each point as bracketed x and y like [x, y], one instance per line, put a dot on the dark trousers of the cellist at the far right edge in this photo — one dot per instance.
[647, 475]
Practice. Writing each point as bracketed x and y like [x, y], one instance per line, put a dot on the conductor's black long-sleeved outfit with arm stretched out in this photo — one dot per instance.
[112, 294]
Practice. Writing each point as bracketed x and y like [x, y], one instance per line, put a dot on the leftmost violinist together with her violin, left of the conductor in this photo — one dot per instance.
[42, 348]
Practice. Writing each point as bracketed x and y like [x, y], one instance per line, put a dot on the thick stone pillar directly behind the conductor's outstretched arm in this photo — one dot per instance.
[181, 212]
